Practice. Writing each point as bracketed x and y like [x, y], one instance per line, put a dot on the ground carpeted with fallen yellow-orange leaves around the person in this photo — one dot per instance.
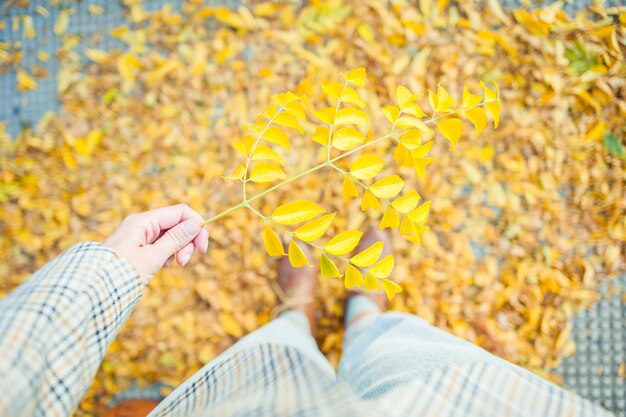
[526, 220]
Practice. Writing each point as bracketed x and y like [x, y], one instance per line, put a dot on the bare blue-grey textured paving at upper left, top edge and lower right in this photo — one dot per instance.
[599, 333]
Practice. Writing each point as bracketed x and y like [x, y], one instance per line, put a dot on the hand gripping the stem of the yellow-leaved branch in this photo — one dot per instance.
[150, 240]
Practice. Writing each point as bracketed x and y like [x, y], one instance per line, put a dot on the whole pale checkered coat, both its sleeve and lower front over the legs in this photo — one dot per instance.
[56, 327]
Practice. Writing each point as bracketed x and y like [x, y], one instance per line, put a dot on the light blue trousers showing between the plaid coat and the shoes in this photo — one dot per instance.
[380, 350]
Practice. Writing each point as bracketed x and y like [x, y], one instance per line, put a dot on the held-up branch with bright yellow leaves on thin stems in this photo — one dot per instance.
[339, 131]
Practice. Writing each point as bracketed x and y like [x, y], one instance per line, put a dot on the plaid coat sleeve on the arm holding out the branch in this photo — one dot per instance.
[56, 328]
